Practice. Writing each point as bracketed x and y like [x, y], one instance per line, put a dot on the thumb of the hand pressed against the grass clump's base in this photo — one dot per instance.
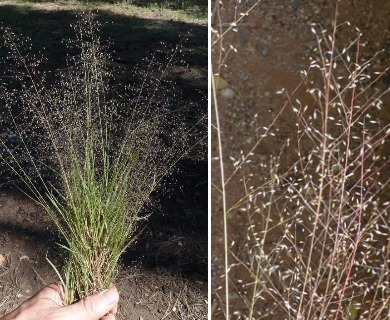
[94, 307]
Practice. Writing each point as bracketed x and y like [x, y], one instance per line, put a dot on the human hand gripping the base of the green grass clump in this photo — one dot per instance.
[48, 304]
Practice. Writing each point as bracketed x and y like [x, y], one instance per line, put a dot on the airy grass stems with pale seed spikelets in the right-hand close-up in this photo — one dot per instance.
[318, 226]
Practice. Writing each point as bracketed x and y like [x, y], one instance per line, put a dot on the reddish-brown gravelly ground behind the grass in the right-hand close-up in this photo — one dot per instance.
[274, 43]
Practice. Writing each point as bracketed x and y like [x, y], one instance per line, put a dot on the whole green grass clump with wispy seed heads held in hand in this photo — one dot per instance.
[90, 152]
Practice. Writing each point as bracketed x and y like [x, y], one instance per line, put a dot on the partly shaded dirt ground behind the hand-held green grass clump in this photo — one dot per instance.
[164, 276]
